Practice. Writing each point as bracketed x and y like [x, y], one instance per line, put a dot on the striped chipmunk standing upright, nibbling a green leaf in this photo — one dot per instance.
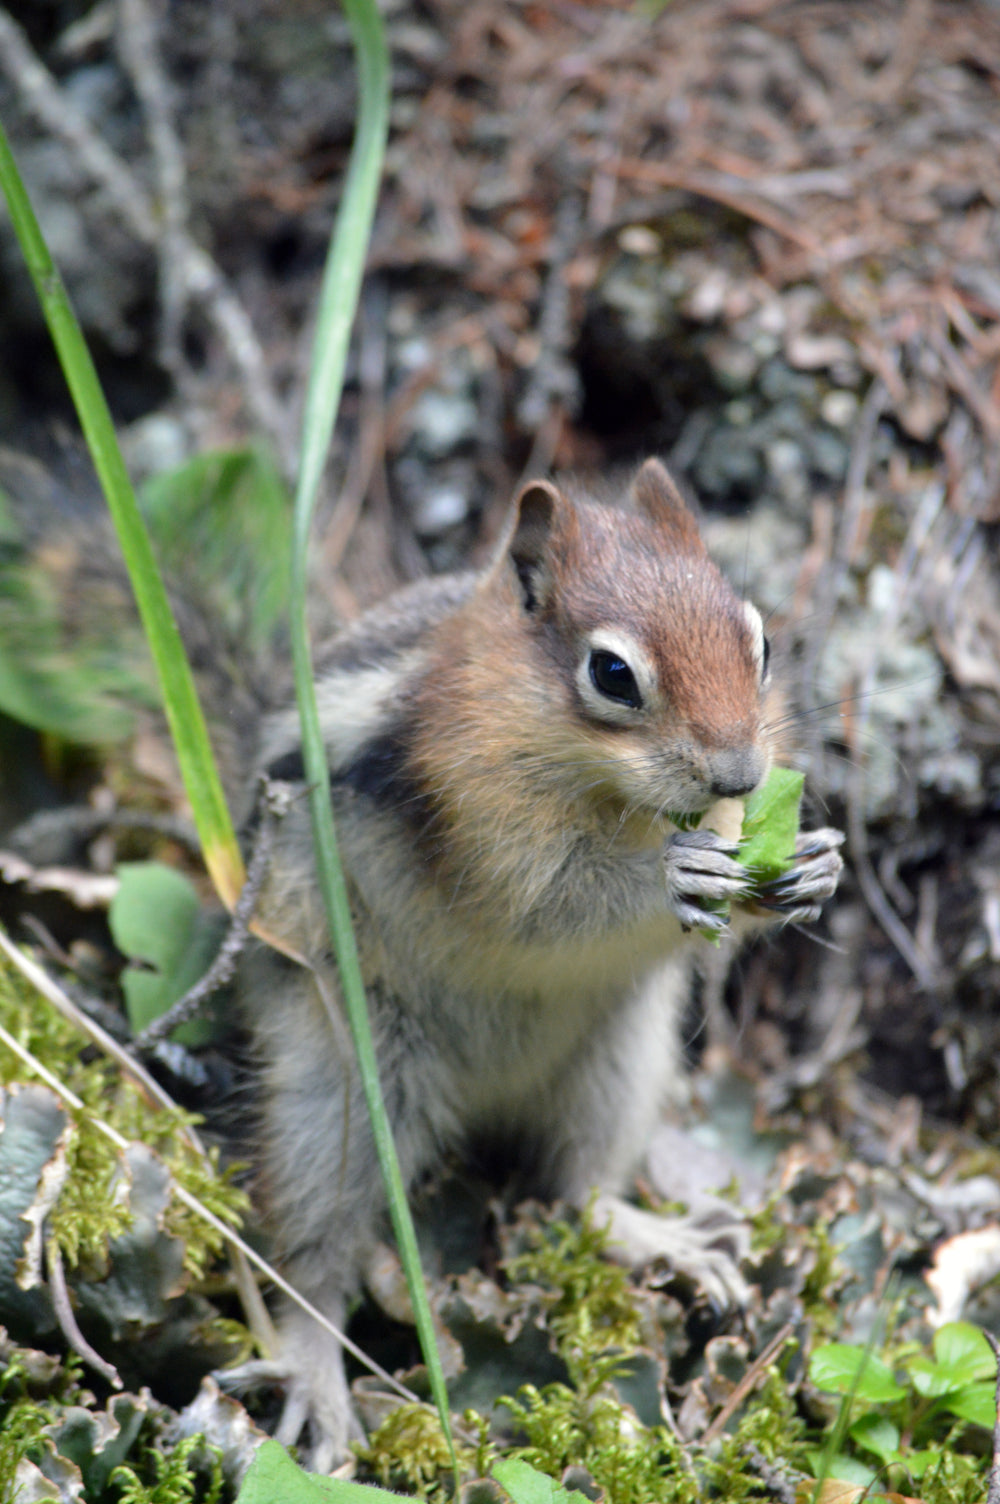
[511, 751]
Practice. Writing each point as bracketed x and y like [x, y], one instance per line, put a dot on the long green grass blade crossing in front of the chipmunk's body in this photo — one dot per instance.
[339, 302]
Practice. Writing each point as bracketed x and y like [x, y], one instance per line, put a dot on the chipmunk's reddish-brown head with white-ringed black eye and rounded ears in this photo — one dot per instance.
[658, 669]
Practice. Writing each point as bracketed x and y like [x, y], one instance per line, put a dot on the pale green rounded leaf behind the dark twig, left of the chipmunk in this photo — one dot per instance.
[157, 920]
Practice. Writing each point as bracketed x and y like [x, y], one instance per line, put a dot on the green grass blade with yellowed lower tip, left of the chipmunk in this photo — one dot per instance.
[184, 714]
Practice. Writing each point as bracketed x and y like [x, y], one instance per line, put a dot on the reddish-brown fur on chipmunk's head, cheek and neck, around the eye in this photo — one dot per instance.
[500, 741]
